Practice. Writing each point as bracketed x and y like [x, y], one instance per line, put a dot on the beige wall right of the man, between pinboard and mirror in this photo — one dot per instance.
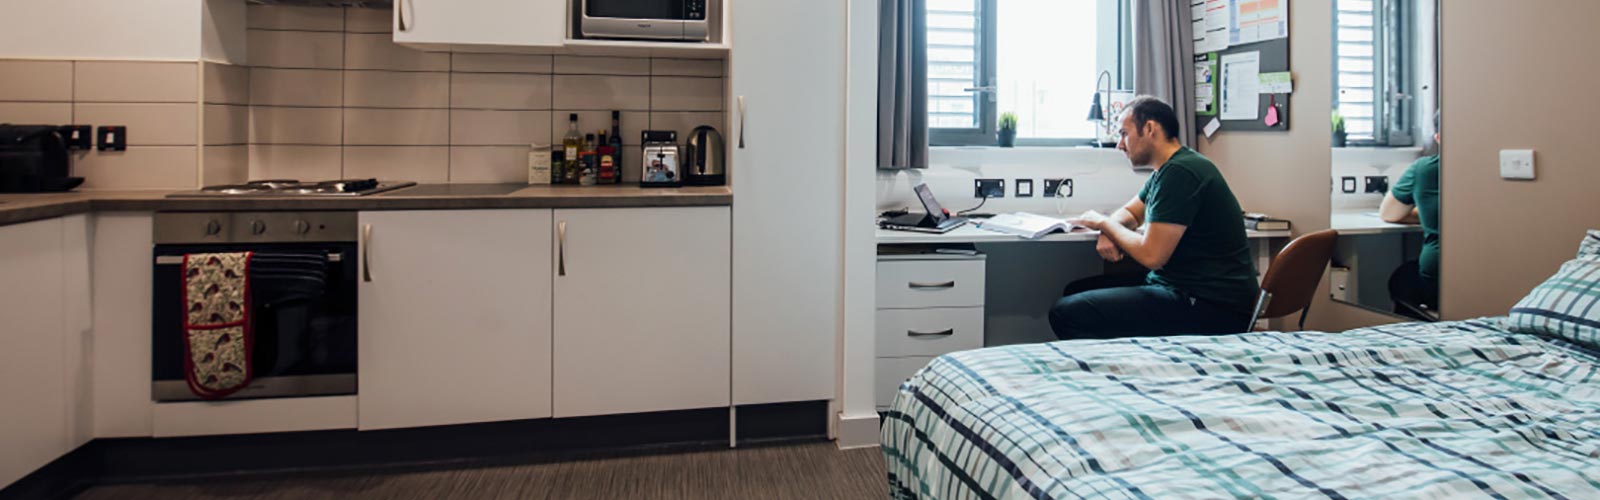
[1286, 174]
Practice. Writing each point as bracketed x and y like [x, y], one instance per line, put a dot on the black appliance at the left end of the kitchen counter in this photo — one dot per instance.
[36, 159]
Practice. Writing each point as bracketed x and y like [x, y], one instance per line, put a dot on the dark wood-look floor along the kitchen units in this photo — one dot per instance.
[778, 472]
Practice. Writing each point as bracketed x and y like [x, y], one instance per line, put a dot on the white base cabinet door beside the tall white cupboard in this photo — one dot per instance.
[642, 320]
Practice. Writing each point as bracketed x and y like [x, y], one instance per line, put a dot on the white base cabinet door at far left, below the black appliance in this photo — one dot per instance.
[33, 382]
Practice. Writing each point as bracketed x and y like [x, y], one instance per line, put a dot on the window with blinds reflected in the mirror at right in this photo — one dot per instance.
[1375, 71]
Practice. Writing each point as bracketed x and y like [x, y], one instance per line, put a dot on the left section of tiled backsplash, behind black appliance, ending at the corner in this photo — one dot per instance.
[158, 102]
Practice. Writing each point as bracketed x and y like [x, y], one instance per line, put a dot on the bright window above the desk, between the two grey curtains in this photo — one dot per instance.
[1036, 58]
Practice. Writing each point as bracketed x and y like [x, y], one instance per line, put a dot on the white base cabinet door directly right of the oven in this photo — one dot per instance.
[455, 318]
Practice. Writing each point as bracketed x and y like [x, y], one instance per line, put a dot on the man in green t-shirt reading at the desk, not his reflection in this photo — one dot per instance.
[1202, 281]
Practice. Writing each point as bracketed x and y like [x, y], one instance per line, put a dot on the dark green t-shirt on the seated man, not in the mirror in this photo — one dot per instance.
[1212, 260]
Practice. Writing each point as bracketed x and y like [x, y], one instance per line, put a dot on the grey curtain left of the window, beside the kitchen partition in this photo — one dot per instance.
[903, 84]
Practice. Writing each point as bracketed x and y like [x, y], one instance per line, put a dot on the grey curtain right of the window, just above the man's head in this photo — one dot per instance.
[1164, 58]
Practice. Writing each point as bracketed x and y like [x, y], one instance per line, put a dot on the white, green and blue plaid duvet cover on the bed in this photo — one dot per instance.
[1418, 411]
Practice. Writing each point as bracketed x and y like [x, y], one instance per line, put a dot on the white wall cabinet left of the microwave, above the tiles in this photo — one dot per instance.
[438, 25]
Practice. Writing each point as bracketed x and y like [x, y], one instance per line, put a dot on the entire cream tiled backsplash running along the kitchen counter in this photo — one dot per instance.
[329, 95]
